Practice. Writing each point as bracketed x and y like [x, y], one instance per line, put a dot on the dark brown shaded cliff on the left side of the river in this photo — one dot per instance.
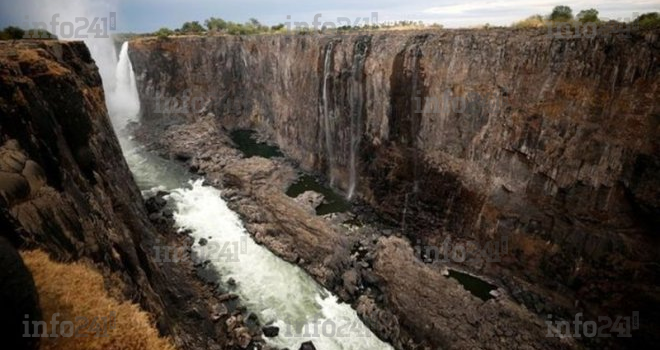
[66, 188]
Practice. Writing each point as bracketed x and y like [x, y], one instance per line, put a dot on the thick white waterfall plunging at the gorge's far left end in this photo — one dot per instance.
[123, 101]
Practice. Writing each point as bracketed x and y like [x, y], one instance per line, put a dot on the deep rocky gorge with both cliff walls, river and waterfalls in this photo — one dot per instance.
[541, 152]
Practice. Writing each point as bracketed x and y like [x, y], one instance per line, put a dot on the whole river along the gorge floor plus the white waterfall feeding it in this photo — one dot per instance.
[280, 293]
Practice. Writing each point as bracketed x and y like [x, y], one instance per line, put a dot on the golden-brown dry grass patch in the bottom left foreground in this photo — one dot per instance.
[76, 290]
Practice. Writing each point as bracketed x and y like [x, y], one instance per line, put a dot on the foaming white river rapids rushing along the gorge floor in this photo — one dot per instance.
[279, 292]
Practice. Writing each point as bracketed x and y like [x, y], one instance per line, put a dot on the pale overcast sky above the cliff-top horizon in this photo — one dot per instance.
[149, 15]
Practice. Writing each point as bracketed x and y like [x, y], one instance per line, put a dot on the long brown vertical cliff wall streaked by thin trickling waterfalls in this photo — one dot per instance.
[463, 133]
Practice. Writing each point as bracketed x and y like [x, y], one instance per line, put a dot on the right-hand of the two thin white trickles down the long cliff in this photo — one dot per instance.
[359, 55]
